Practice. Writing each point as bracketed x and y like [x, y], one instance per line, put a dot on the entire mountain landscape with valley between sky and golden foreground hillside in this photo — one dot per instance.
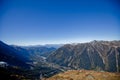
[94, 55]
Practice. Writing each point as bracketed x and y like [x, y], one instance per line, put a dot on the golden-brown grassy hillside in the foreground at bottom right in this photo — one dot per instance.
[85, 75]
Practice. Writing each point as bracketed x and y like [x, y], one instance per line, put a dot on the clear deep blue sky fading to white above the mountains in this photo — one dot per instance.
[31, 22]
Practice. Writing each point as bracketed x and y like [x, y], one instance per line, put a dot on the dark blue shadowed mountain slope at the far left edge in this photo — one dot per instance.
[12, 56]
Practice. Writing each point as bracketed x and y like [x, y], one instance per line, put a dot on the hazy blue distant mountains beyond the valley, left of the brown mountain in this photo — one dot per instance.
[34, 53]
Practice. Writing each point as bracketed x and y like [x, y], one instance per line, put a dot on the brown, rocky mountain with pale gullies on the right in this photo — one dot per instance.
[98, 55]
